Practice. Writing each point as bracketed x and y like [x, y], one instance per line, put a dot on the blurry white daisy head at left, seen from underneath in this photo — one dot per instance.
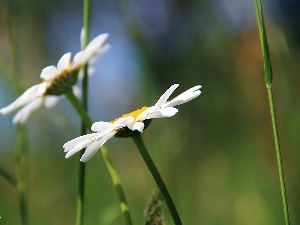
[56, 80]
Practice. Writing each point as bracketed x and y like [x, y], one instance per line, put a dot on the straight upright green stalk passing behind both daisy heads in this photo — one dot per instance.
[81, 172]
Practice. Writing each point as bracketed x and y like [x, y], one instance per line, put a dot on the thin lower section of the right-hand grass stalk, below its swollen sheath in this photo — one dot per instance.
[278, 154]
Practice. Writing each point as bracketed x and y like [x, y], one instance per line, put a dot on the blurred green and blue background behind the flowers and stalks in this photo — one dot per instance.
[216, 155]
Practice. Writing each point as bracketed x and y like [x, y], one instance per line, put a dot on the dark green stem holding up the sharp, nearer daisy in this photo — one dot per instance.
[137, 139]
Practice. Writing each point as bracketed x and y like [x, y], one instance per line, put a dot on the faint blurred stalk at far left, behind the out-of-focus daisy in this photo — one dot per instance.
[21, 153]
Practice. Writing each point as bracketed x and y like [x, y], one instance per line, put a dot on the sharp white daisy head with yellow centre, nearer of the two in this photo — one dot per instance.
[128, 124]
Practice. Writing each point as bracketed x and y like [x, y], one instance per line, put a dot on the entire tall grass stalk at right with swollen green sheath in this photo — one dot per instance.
[268, 79]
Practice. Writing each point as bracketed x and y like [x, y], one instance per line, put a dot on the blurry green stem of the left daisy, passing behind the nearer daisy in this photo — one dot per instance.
[107, 159]
